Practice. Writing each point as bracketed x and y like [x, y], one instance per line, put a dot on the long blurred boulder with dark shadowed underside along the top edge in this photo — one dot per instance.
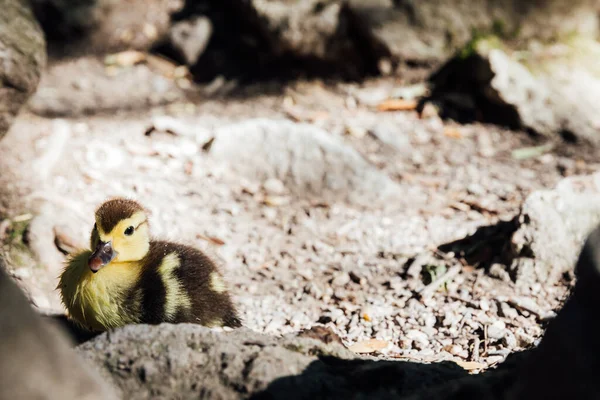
[359, 38]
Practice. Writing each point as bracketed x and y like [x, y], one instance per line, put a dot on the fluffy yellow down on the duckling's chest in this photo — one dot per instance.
[96, 301]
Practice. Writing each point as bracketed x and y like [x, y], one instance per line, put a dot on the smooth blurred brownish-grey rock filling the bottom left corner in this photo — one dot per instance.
[36, 359]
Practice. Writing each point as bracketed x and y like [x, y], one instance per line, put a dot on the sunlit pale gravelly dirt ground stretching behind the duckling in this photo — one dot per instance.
[296, 261]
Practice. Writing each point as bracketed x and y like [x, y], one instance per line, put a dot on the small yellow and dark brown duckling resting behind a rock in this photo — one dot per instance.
[130, 278]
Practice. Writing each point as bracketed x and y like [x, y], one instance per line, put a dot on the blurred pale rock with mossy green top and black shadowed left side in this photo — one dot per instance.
[558, 98]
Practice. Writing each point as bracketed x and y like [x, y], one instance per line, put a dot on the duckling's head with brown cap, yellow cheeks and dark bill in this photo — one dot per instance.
[121, 234]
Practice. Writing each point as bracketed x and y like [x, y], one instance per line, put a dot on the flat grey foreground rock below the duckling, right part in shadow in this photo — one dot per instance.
[190, 361]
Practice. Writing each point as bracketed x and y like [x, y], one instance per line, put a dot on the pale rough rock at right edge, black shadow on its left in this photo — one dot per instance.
[542, 242]
